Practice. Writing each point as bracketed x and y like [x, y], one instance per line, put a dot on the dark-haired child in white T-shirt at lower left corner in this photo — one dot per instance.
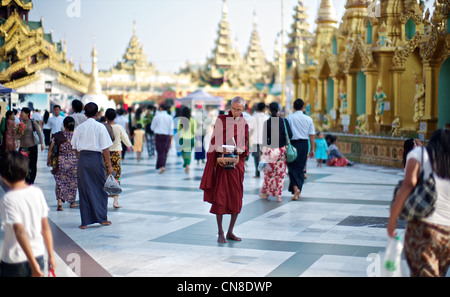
[24, 213]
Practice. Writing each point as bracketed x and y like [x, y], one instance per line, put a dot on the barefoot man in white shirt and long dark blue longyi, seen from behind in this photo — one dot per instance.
[91, 141]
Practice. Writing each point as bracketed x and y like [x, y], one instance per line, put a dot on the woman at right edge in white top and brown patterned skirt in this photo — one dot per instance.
[427, 239]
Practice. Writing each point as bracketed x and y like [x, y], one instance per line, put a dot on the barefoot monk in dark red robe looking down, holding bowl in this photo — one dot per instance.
[224, 188]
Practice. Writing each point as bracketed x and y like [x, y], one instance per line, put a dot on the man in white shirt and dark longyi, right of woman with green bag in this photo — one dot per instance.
[302, 127]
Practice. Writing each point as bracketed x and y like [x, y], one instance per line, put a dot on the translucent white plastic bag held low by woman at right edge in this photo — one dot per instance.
[392, 260]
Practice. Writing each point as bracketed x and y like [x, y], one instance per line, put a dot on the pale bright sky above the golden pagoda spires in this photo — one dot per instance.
[171, 31]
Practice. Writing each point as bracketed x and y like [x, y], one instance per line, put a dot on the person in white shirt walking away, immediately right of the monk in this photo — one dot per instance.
[257, 124]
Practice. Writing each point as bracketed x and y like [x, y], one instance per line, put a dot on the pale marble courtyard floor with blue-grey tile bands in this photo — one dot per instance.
[164, 228]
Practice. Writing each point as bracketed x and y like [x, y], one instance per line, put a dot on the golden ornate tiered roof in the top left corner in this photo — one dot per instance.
[25, 50]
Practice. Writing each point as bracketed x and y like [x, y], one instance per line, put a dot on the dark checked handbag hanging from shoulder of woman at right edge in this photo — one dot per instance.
[422, 200]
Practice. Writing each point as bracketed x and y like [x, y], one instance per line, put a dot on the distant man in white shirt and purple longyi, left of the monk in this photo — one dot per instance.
[162, 126]
